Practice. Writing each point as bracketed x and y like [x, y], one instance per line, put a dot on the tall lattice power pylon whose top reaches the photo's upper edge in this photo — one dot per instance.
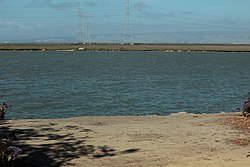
[127, 32]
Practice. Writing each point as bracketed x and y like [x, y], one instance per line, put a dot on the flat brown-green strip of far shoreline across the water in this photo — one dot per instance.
[126, 47]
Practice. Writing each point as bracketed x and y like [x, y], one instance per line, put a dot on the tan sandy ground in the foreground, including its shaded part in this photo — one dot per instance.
[148, 141]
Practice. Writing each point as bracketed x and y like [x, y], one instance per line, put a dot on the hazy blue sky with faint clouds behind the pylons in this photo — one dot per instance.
[172, 21]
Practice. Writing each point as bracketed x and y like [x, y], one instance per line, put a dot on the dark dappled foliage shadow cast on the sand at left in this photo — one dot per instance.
[57, 149]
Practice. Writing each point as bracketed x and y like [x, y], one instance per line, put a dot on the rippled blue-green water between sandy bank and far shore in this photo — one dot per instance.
[66, 84]
